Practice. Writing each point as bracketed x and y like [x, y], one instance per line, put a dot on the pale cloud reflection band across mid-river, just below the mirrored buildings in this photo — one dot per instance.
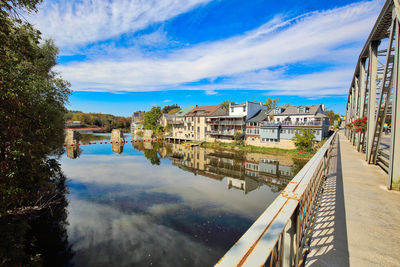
[196, 191]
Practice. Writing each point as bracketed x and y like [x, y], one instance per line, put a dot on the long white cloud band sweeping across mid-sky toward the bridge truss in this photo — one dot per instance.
[331, 37]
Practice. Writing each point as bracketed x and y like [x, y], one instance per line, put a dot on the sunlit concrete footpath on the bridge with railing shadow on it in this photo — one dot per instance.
[358, 222]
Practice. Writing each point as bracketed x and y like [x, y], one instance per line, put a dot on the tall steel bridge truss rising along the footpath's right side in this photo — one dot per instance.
[374, 93]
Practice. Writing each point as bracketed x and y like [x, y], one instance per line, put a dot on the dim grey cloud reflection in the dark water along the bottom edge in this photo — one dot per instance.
[104, 236]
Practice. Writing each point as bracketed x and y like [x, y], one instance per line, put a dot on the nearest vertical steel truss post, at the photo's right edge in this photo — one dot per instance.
[394, 160]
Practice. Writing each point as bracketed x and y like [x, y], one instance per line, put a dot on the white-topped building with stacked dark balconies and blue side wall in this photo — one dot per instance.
[224, 128]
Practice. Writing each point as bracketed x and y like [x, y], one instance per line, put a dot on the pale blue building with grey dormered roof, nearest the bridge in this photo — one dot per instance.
[277, 127]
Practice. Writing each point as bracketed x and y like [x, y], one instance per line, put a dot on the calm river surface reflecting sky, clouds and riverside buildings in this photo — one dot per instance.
[164, 205]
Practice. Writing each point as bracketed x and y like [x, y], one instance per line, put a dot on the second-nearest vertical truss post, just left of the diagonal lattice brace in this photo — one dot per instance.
[373, 62]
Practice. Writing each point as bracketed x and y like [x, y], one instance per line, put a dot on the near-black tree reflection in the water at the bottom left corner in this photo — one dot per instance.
[37, 236]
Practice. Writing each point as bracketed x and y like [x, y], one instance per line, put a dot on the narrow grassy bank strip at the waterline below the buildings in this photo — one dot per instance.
[294, 153]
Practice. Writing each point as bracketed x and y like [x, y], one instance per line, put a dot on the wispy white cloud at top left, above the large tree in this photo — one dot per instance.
[74, 23]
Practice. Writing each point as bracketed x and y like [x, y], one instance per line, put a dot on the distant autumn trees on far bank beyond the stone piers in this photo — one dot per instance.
[105, 121]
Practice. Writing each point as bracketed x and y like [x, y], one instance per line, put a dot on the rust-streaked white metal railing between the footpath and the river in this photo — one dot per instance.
[280, 236]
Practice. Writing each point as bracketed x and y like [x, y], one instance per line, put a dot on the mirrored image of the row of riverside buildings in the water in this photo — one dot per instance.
[243, 172]
